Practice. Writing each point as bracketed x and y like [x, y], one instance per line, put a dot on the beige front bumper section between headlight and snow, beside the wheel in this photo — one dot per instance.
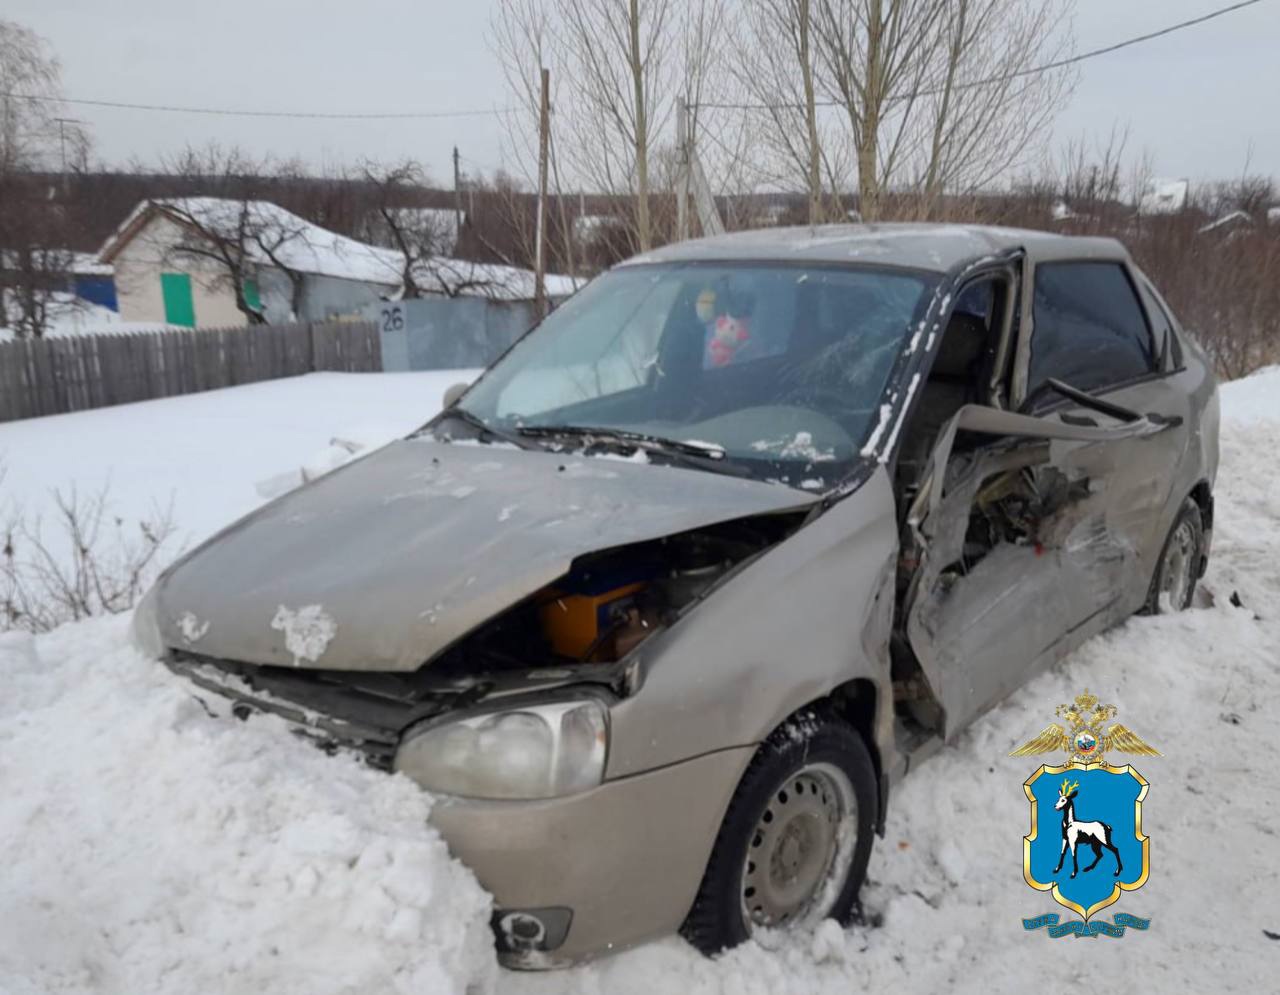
[625, 859]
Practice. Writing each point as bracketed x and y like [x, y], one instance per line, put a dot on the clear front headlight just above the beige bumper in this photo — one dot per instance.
[540, 751]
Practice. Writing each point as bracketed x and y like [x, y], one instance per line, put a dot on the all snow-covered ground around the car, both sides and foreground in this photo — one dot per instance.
[150, 848]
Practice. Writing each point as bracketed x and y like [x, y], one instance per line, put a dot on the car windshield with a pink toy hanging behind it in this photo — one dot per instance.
[770, 371]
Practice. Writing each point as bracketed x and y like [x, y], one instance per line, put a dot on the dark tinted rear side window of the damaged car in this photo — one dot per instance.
[1090, 328]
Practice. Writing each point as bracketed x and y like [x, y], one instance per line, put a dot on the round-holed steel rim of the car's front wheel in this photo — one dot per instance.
[801, 851]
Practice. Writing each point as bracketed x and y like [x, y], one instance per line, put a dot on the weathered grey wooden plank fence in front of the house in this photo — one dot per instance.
[76, 373]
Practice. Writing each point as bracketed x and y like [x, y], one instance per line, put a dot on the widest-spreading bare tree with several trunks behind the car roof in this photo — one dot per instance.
[936, 95]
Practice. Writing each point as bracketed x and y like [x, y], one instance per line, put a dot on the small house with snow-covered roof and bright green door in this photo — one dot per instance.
[163, 257]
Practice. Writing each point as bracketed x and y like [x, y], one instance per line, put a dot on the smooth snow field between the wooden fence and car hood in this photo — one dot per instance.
[213, 457]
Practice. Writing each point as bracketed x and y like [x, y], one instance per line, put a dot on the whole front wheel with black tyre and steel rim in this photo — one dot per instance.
[808, 786]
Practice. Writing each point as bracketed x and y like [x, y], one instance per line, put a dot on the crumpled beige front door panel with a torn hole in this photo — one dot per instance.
[1011, 549]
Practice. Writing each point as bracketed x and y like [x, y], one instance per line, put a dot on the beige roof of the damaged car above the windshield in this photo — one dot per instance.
[938, 248]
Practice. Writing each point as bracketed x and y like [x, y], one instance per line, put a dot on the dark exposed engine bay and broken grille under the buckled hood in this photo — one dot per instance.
[580, 629]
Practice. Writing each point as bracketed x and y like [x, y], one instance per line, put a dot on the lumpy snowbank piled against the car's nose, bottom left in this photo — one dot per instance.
[150, 848]
